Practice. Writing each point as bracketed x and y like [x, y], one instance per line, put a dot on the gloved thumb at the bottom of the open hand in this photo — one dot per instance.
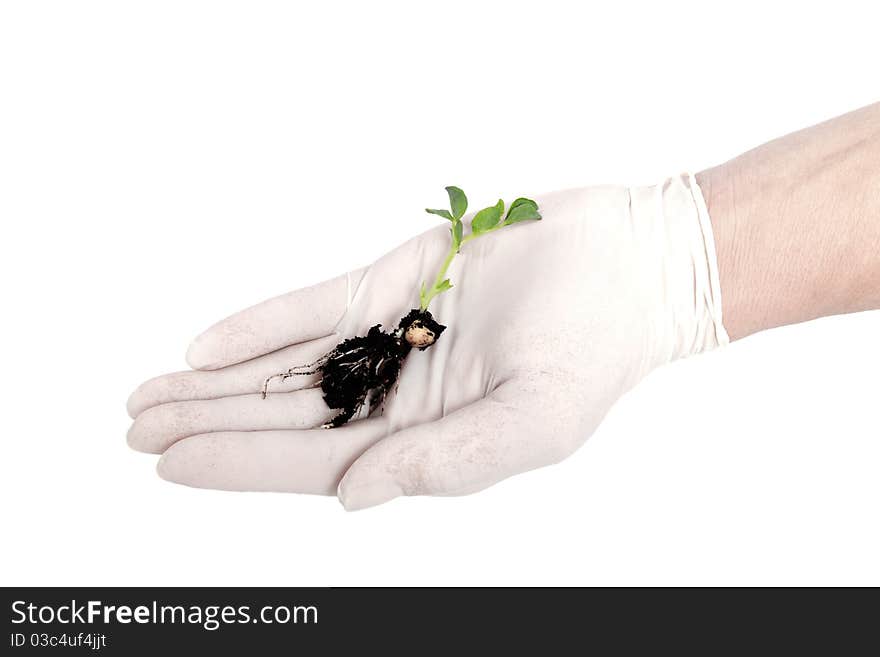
[518, 427]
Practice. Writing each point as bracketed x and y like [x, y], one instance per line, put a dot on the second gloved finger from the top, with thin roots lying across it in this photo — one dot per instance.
[241, 379]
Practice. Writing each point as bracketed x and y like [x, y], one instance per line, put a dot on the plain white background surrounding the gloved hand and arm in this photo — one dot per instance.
[163, 164]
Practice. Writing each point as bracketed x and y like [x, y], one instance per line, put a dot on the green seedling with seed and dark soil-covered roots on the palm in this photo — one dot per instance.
[361, 370]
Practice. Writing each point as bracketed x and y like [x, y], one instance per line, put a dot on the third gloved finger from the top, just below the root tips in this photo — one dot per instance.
[156, 429]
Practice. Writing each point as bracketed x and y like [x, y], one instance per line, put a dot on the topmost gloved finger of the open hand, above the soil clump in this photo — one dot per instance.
[291, 318]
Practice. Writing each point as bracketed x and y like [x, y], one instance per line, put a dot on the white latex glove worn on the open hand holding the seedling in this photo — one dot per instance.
[549, 323]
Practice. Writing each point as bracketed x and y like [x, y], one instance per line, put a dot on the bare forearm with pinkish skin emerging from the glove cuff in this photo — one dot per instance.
[797, 225]
